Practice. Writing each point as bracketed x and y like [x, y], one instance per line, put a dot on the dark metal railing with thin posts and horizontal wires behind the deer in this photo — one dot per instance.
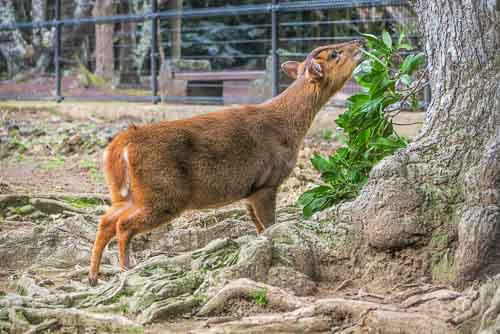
[275, 9]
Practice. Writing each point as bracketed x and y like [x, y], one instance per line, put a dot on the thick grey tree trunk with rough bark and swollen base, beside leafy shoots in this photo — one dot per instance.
[444, 187]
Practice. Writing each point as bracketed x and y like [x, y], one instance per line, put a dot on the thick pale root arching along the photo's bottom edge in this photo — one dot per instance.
[330, 315]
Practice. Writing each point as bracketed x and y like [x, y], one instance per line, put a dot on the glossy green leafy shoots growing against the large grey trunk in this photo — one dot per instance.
[386, 79]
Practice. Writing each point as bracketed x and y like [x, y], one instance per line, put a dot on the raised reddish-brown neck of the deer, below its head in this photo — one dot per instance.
[298, 105]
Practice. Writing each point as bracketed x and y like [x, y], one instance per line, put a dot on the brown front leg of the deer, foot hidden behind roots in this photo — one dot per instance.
[263, 203]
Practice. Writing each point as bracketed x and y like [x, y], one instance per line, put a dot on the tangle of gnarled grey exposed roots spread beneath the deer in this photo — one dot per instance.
[273, 271]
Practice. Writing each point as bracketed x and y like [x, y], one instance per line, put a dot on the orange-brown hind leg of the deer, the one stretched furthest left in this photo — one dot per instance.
[105, 232]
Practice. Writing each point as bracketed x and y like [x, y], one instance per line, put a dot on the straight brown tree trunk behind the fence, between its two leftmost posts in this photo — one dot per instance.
[104, 40]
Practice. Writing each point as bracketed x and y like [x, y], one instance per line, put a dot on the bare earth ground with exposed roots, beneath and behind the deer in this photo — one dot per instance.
[206, 273]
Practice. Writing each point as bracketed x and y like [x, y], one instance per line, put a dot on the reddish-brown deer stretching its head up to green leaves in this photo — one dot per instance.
[156, 171]
